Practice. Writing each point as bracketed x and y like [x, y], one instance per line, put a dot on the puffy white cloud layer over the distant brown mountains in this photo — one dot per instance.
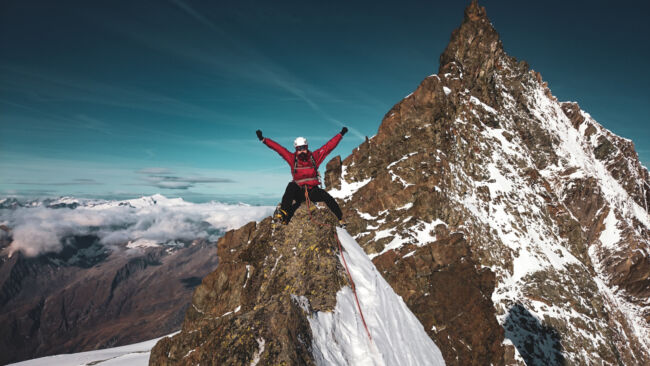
[40, 229]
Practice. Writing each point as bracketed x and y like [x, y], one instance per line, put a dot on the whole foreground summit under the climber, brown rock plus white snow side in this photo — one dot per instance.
[287, 295]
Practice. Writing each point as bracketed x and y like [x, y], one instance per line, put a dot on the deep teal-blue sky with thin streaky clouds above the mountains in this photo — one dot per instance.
[118, 99]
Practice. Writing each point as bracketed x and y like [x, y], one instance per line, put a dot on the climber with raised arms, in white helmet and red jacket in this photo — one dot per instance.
[306, 178]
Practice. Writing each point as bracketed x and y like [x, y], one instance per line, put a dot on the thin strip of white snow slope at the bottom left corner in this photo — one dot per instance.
[132, 355]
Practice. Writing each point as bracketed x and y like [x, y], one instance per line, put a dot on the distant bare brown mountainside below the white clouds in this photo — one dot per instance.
[87, 297]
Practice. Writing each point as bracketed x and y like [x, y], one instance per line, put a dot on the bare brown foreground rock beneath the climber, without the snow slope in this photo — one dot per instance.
[248, 309]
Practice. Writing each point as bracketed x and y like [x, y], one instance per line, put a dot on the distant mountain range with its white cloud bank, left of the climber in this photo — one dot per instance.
[79, 274]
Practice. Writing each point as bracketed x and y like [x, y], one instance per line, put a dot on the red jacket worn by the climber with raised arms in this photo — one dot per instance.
[306, 173]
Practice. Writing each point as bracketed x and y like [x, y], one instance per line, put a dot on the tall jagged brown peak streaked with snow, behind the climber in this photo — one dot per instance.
[549, 204]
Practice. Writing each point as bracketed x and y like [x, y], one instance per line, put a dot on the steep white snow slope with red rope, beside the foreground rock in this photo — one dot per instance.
[398, 338]
